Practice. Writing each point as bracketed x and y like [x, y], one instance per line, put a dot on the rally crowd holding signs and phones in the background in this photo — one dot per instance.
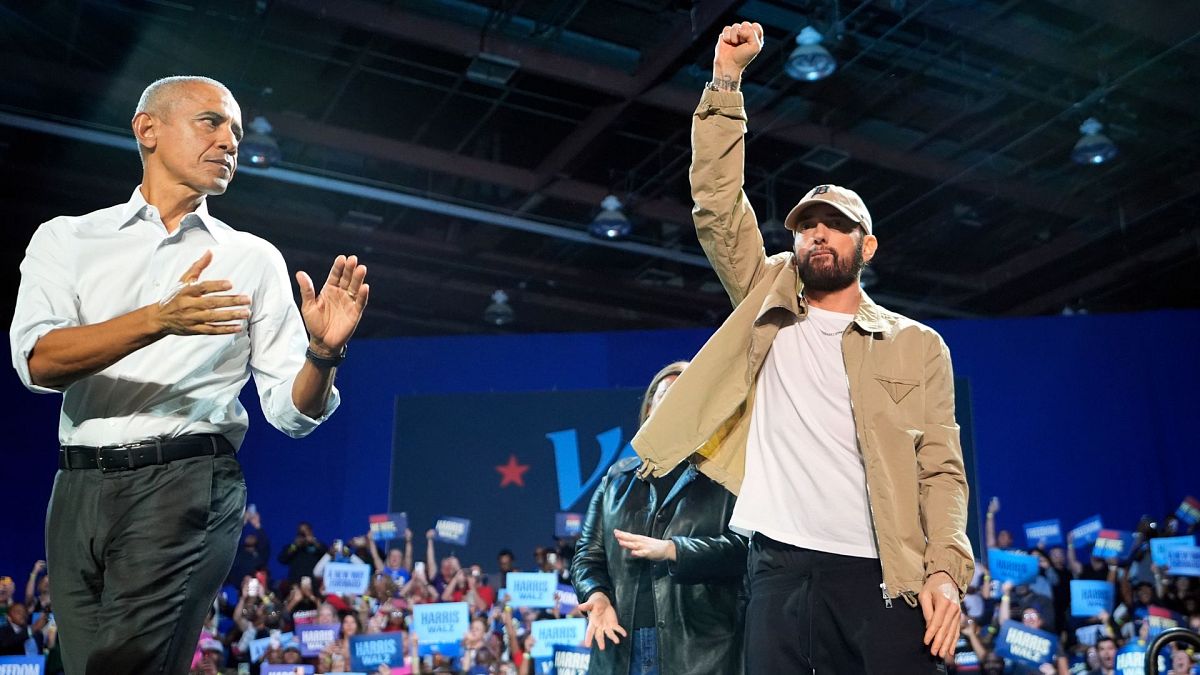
[255, 606]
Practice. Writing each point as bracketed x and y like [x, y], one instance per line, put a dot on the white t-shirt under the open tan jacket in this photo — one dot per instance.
[805, 482]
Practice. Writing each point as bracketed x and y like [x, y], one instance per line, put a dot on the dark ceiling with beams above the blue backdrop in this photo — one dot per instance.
[953, 118]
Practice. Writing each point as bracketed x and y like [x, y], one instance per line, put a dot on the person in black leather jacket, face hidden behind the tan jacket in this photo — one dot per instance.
[659, 571]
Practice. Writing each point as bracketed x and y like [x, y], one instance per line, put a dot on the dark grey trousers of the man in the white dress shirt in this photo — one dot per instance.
[136, 559]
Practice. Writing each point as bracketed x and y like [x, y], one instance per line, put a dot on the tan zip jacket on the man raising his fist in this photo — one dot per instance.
[902, 384]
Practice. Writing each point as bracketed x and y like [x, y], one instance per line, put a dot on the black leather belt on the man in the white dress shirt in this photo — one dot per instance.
[145, 453]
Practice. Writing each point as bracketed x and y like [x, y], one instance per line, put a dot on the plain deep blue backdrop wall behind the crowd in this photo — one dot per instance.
[1073, 416]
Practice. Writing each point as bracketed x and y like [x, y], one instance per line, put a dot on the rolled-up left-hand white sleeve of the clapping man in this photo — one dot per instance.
[46, 298]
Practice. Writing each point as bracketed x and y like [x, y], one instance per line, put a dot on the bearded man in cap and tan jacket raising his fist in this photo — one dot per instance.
[830, 416]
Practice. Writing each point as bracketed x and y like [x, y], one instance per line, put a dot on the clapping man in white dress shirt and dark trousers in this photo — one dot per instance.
[149, 319]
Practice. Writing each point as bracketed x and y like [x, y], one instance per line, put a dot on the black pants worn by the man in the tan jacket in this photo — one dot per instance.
[813, 612]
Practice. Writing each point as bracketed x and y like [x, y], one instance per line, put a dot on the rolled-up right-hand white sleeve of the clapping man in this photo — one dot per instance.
[278, 343]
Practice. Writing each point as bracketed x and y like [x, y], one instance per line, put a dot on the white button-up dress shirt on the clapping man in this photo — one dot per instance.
[81, 271]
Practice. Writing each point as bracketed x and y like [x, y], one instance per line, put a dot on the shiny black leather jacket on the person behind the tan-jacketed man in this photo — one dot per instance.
[695, 598]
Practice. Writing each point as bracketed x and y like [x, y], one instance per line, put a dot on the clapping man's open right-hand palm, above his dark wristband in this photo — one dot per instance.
[333, 315]
